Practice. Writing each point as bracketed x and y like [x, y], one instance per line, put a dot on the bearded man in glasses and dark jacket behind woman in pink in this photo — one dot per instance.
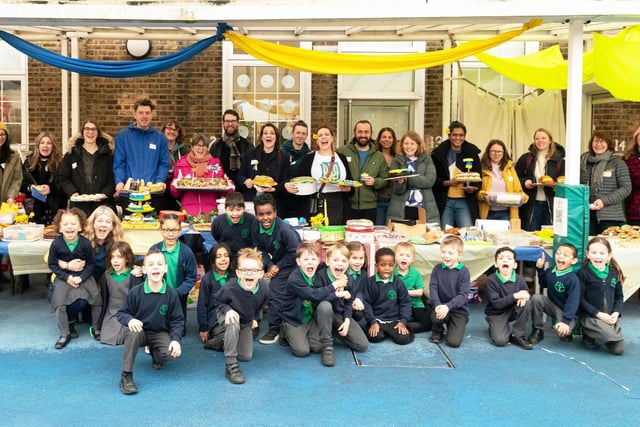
[230, 149]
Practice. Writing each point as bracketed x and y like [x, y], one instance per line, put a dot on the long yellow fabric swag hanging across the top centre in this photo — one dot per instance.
[339, 63]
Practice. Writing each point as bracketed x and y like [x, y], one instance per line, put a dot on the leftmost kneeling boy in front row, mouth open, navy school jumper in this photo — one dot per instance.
[153, 315]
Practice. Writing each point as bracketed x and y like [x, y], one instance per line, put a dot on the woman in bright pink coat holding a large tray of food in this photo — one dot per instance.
[199, 195]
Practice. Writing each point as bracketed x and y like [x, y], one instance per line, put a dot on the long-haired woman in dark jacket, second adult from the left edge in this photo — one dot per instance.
[40, 178]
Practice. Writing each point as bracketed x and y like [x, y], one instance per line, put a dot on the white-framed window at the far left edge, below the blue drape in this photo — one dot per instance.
[13, 94]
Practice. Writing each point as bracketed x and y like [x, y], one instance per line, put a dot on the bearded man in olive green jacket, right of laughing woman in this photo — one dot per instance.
[367, 165]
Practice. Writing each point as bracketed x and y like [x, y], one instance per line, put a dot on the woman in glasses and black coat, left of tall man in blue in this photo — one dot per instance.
[87, 169]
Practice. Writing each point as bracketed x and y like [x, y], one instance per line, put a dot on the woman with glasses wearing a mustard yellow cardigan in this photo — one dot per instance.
[499, 176]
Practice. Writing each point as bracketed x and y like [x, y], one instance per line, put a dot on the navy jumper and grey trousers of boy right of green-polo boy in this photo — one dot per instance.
[450, 287]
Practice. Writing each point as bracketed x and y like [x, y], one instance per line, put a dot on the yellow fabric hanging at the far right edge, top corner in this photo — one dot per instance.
[616, 63]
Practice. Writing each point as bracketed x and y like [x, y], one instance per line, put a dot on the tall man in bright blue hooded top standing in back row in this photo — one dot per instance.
[142, 153]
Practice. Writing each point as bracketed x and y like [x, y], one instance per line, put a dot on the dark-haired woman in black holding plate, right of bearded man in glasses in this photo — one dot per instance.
[266, 159]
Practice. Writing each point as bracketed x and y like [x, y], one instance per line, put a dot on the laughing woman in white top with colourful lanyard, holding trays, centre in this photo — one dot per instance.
[325, 163]
